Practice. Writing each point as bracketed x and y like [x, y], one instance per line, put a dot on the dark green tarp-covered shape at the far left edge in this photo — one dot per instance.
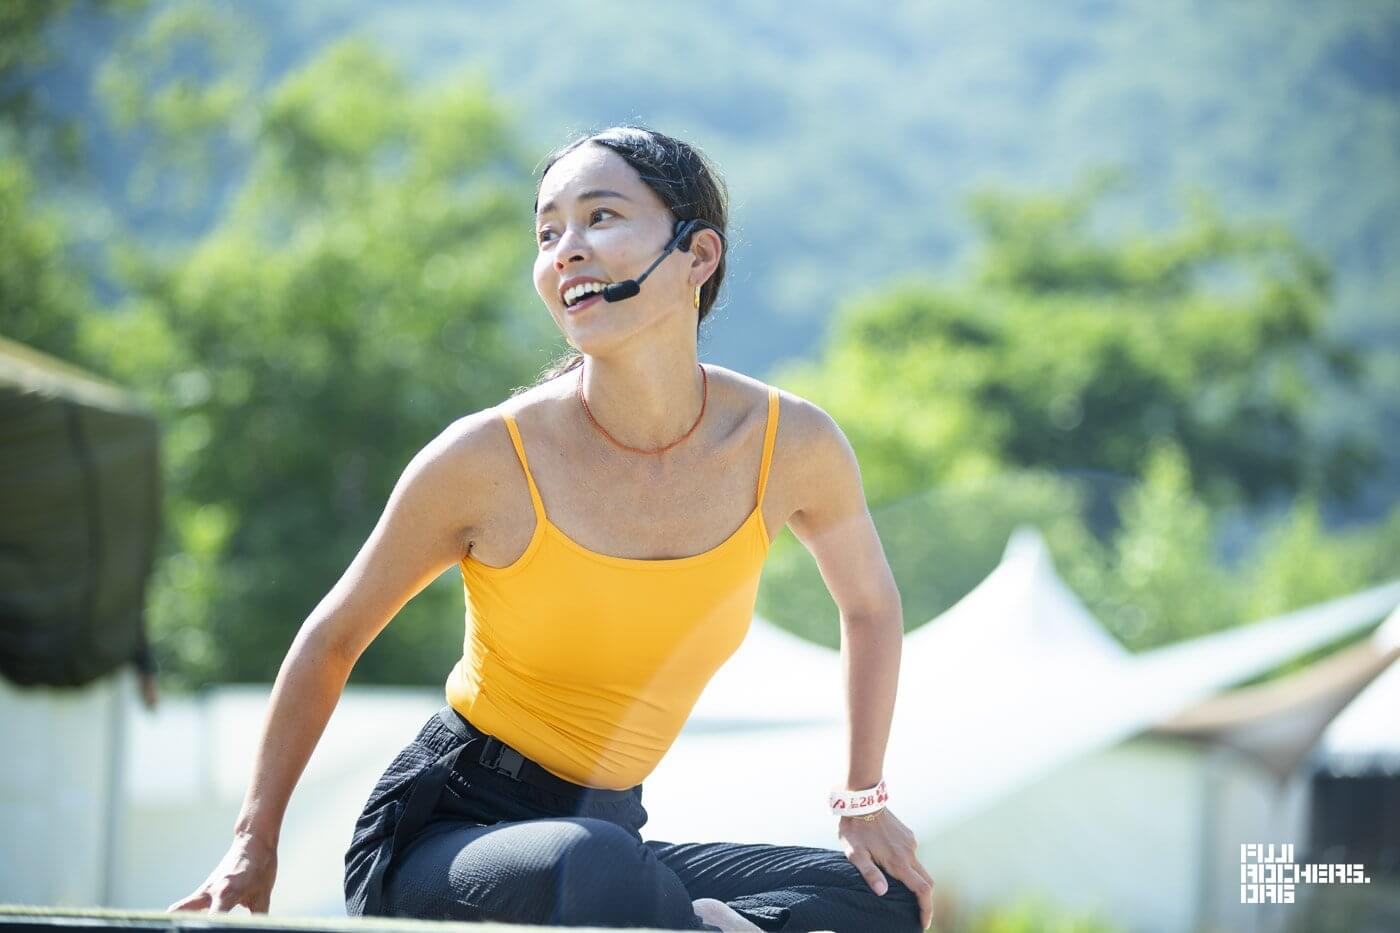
[79, 518]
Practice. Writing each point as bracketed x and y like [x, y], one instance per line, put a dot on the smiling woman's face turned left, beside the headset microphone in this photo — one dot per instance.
[600, 222]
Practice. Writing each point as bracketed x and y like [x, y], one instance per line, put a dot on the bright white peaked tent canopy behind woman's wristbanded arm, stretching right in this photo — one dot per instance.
[1013, 682]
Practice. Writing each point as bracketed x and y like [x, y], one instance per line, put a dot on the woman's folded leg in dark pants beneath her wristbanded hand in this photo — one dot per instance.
[790, 887]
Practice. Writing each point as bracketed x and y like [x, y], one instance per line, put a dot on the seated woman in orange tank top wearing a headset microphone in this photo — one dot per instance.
[611, 525]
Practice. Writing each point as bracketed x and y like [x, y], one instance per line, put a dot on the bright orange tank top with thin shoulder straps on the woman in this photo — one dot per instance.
[589, 663]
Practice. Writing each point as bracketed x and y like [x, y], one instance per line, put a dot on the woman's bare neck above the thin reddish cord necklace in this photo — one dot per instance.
[645, 404]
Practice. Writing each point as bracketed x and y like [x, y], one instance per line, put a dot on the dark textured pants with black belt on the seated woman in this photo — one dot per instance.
[443, 837]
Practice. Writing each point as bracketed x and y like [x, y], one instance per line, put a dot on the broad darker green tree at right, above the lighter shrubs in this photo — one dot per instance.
[1076, 350]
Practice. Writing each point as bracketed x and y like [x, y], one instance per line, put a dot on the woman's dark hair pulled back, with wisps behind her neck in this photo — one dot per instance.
[682, 177]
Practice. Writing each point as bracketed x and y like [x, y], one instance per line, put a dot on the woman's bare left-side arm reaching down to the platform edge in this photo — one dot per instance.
[423, 532]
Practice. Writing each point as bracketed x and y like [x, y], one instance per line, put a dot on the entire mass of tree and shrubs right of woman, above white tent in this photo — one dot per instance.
[1070, 362]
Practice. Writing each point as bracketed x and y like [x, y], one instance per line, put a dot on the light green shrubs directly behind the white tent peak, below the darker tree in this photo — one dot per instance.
[1158, 579]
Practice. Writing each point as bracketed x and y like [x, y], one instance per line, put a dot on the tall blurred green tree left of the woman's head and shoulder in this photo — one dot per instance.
[358, 296]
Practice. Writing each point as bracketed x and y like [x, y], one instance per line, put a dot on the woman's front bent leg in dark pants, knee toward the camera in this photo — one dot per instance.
[566, 872]
